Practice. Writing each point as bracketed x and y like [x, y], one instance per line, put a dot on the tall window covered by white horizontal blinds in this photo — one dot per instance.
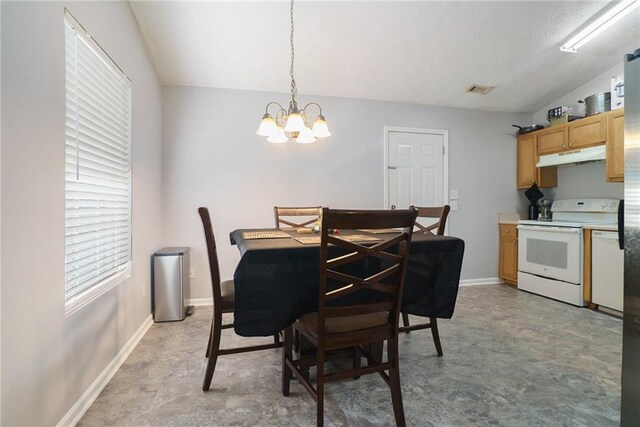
[97, 170]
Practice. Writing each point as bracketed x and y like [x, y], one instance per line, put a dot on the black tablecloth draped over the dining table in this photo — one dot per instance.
[276, 280]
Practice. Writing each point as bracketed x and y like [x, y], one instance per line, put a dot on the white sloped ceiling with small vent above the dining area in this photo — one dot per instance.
[426, 52]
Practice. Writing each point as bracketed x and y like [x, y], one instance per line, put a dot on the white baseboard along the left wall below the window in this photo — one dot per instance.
[74, 415]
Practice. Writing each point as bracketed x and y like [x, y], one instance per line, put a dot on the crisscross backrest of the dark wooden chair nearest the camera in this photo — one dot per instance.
[375, 270]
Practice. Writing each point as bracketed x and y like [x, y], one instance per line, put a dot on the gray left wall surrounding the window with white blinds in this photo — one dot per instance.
[48, 361]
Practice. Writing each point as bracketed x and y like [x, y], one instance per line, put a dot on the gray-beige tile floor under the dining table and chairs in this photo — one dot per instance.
[510, 359]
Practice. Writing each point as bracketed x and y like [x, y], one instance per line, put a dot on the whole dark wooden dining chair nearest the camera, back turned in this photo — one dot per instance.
[354, 312]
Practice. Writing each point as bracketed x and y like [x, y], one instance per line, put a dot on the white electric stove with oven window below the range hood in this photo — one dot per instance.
[550, 253]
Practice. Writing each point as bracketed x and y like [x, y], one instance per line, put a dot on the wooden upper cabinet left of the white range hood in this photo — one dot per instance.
[527, 171]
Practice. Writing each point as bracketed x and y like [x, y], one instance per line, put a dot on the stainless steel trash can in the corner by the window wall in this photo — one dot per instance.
[170, 284]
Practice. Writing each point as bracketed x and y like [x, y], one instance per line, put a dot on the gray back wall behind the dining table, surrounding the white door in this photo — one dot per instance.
[212, 157]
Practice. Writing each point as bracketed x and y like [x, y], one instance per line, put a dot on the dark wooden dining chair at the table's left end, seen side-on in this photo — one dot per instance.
[223, 302]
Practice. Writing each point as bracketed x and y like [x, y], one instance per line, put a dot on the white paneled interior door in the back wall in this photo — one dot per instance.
[416, 167]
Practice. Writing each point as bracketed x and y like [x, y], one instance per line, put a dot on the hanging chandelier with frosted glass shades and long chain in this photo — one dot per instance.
[293, 123]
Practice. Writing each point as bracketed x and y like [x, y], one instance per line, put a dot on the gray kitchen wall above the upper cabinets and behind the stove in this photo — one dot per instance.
[585, 179]
